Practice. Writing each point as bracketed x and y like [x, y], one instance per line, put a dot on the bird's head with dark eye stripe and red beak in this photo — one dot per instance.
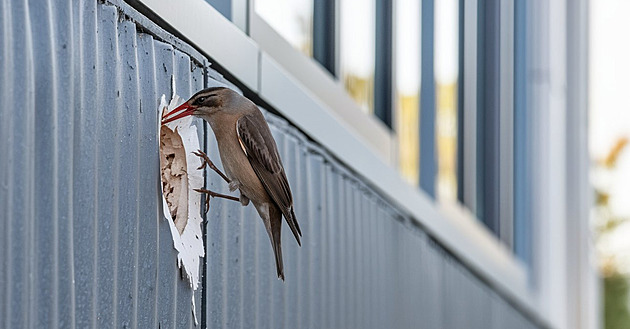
[205, 103]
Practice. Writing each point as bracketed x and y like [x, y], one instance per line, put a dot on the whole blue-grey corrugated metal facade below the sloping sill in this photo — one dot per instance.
[84, 243]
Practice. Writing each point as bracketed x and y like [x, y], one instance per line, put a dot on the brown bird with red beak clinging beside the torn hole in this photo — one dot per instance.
[250, 158]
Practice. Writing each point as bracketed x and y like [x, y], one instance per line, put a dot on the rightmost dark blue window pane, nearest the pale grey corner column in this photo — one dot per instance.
[494, 146]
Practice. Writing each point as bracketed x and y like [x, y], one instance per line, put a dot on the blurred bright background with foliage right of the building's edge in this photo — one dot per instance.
[609, 125]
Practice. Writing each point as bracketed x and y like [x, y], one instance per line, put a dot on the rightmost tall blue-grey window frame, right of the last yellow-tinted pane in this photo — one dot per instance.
[486, 128]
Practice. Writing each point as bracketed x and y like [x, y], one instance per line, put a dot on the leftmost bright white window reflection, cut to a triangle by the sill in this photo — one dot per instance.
[293, 19]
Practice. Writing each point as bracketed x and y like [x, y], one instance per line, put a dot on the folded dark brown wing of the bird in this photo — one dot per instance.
[262, 152]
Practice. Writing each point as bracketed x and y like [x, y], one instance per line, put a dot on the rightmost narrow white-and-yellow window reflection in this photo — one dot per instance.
[446, 75]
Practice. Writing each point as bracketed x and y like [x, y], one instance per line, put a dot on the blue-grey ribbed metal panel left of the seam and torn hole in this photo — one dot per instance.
[85, 244]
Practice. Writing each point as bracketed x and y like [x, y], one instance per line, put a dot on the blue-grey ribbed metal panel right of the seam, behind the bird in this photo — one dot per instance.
[359, 266]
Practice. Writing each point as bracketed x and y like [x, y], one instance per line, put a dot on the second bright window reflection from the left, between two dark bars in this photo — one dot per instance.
[357, 50]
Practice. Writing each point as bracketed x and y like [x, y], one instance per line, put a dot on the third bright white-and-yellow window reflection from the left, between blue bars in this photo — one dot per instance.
[408, 86]
